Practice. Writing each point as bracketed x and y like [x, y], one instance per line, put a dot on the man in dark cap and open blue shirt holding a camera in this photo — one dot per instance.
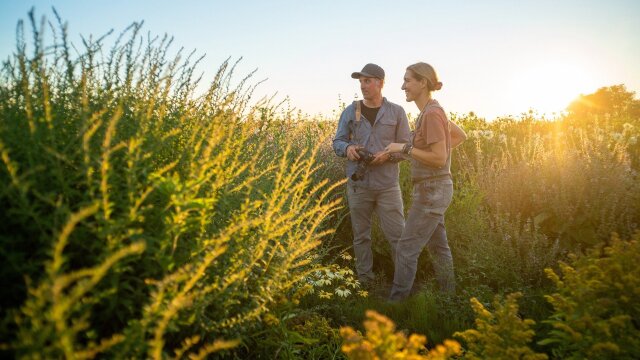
[371, 124]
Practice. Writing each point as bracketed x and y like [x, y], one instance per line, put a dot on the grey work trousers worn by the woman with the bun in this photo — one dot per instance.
[425, 227]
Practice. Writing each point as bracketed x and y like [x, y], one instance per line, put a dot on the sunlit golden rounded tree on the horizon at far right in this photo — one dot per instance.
[616, 101]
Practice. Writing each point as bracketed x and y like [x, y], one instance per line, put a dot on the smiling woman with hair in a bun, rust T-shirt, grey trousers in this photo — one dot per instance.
[430, 155]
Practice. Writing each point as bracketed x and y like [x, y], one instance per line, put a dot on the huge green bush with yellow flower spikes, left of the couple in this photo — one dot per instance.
[110, 153]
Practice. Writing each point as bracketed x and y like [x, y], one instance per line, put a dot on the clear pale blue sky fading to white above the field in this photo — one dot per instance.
[494, 57]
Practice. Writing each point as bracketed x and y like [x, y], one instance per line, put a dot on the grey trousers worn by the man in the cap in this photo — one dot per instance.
[387, 203]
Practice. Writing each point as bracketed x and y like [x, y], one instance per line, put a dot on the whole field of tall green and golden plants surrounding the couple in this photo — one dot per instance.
[144, 217]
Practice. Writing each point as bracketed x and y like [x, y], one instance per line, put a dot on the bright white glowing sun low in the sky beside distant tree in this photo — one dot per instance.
[547, 87]
